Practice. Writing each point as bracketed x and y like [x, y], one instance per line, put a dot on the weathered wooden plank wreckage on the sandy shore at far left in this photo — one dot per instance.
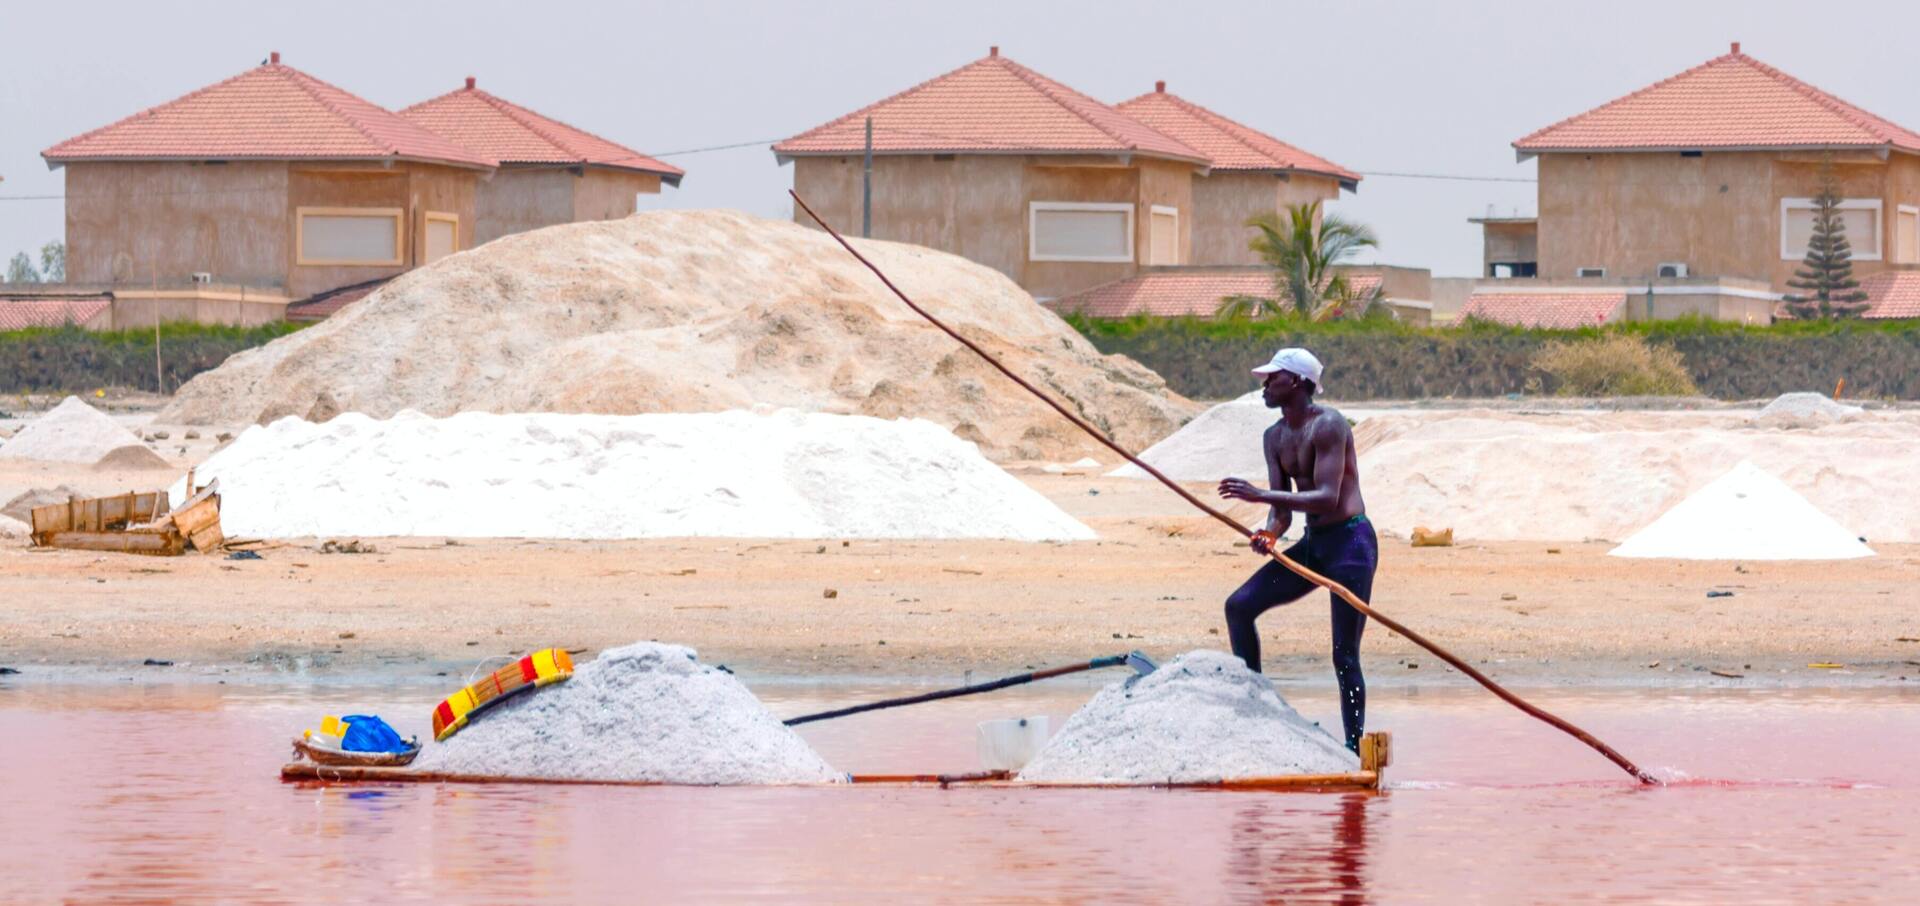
[133, 523]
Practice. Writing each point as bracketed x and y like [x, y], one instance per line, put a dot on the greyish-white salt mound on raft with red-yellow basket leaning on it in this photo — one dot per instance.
[640, 713]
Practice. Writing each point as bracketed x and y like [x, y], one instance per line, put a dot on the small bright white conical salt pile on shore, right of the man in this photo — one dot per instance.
[1744, 515]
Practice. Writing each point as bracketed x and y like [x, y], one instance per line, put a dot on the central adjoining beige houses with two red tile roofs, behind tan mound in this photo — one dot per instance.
[1055, 189]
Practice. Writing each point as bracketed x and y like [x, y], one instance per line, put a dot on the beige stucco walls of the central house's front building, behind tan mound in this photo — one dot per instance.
[976, 206]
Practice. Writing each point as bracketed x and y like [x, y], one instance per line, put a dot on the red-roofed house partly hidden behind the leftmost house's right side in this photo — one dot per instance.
[548, 170]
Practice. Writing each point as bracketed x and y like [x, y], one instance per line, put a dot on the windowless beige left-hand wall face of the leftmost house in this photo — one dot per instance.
[135, 224]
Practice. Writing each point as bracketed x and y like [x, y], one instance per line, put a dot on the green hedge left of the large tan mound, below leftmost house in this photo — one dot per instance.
[70, 360]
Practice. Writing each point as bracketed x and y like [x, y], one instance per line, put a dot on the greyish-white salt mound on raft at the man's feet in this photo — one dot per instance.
[1199, 719]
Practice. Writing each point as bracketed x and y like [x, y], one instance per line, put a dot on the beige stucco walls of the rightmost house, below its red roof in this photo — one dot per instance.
[1717, 212]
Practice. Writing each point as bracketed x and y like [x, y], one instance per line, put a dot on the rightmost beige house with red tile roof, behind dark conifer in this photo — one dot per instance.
[1708, 178]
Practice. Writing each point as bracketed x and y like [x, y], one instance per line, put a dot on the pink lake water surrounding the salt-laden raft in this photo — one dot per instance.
[1785, 798]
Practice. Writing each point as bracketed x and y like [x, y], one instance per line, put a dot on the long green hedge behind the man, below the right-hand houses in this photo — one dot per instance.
[1209, 358]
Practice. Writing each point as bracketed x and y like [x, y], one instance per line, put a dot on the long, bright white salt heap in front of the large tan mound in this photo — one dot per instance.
[719, 475]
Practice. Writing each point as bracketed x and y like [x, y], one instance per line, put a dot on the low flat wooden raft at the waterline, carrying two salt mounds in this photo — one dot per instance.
[1376, 753]
